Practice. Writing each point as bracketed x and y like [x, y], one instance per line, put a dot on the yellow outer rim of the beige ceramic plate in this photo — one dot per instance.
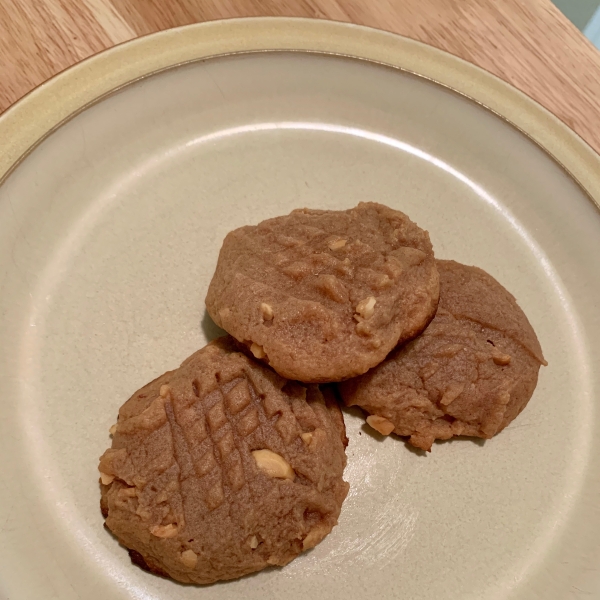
[26, 123]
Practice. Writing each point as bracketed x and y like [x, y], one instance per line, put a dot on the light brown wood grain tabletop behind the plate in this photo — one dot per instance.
[529, 43]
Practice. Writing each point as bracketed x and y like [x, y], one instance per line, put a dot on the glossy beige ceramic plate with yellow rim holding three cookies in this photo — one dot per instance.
[109, 232]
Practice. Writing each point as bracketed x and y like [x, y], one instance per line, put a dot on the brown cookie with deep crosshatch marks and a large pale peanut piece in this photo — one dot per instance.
[222, 468]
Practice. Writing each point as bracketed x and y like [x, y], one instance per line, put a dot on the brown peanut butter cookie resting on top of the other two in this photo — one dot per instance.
[325, 295]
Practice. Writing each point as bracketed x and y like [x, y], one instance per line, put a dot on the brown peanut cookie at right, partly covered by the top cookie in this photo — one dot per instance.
[471, 372]
